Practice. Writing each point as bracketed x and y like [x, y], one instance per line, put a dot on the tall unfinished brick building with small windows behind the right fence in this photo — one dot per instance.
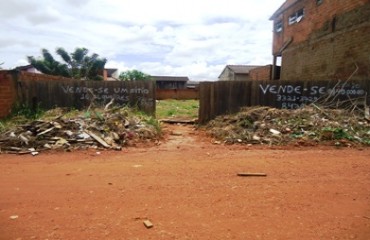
[322, 39]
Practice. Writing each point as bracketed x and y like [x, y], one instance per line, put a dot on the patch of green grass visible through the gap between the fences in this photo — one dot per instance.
[177, 109]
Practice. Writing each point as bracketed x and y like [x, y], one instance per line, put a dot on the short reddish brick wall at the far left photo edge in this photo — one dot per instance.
[7, 93]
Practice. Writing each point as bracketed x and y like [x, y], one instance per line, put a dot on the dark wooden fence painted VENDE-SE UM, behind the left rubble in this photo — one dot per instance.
[49, 93]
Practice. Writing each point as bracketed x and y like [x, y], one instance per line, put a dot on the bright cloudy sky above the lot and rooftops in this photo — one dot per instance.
[194, 38]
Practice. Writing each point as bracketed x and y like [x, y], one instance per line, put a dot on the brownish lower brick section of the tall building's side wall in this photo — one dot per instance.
[333, 58]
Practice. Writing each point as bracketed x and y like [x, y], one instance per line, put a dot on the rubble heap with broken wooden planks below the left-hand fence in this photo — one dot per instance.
[61, 129]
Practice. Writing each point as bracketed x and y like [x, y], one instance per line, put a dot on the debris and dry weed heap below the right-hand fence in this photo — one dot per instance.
[308, 125]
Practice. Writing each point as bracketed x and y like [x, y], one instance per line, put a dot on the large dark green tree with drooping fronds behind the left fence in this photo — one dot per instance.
[77, 64]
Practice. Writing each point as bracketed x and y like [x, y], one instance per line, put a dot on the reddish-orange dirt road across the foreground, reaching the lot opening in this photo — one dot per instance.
[189, 189]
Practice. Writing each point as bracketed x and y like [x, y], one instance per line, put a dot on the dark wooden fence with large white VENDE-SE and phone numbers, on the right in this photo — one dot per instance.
[224, 97]
